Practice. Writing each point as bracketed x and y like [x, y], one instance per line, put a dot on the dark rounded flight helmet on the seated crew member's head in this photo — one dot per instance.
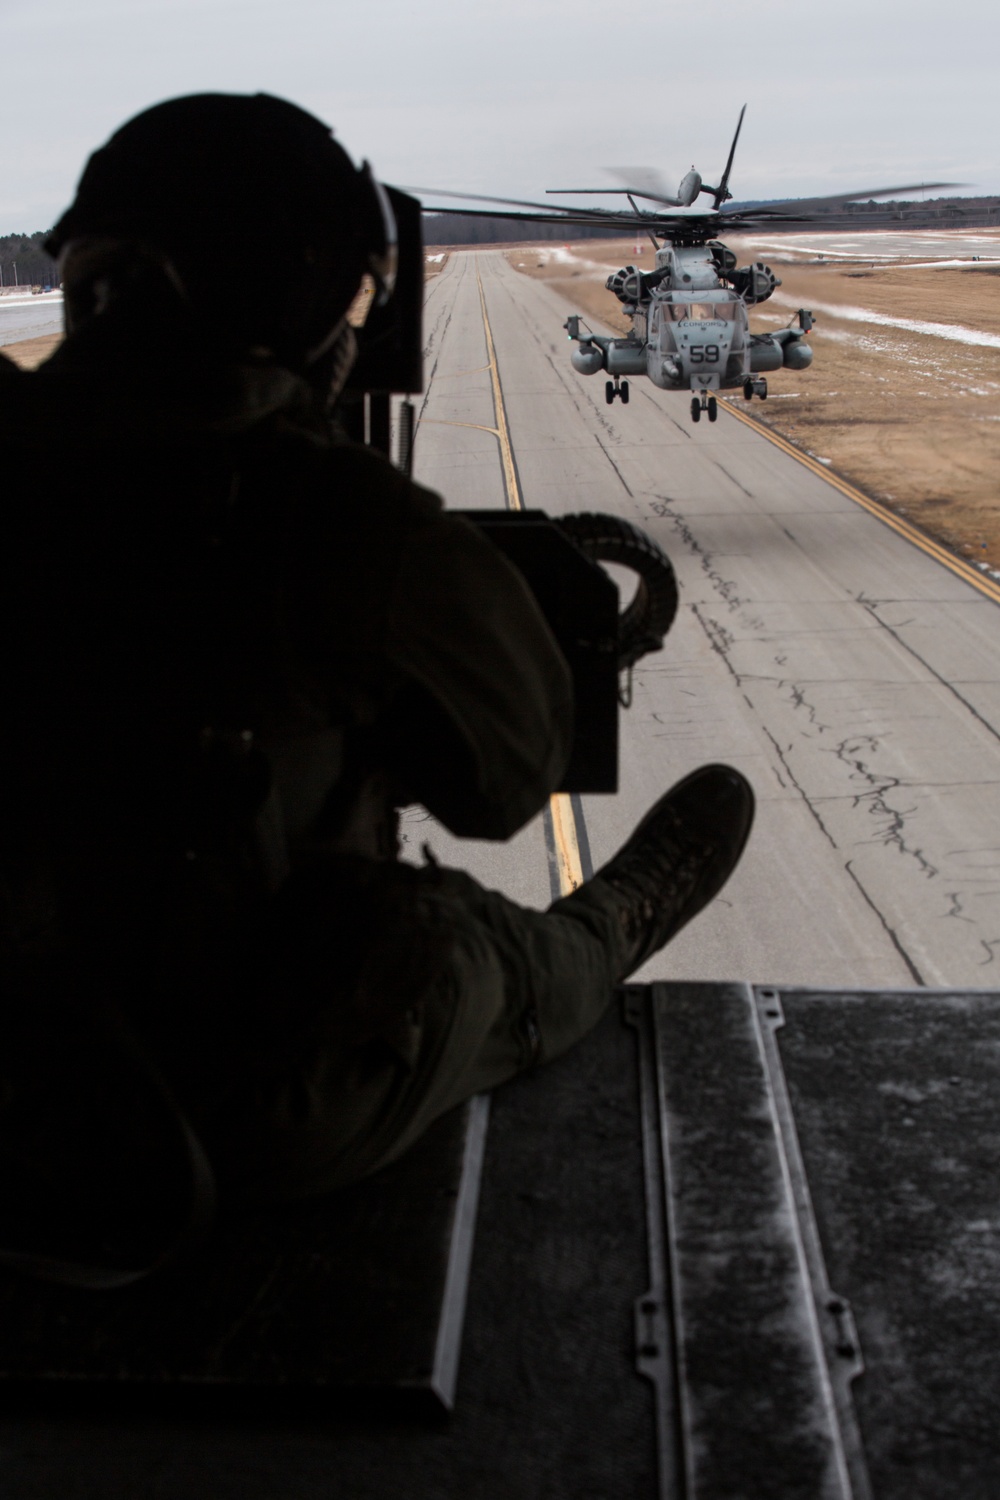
[247, 206]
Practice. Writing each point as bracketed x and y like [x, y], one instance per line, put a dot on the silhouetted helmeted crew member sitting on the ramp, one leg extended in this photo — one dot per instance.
[233, 643]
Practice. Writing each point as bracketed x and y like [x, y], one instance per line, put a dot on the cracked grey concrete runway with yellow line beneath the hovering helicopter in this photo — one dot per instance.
[849, 674]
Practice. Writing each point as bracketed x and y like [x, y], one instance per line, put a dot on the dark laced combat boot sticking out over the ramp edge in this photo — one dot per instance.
[674, 865]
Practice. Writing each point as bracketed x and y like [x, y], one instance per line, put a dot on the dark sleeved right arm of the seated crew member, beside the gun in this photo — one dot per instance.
[481, 695]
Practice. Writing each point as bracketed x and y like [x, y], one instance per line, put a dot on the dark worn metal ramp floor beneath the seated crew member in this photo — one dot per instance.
[743, 1247]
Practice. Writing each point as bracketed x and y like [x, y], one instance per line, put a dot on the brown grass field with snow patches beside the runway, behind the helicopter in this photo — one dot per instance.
[909, 416]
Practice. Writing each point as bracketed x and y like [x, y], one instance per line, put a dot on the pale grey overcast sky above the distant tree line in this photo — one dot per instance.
[522, 95]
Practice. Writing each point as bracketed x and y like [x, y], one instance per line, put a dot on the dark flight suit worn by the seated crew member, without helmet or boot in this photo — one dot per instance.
[190, 545]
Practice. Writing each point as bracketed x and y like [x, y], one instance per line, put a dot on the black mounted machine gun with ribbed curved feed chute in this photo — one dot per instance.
[560, 559]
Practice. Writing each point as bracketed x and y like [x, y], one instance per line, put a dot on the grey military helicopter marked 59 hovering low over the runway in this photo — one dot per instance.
[690, 328]
